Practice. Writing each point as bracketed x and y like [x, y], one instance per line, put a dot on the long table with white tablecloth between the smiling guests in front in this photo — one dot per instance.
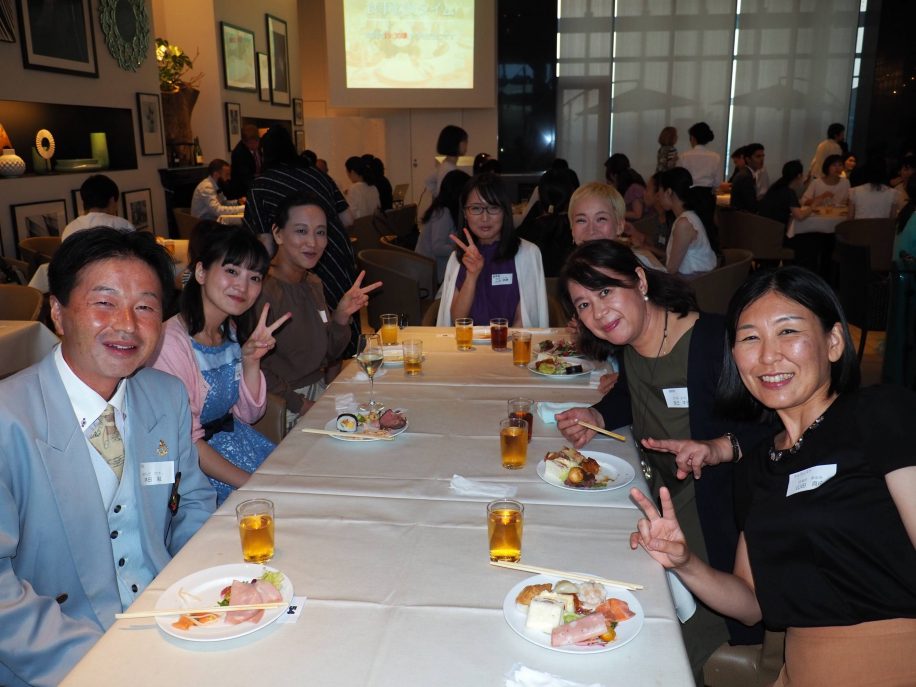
[390, 565]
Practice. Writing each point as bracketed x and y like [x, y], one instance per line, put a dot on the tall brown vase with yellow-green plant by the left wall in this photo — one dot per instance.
[179, 95]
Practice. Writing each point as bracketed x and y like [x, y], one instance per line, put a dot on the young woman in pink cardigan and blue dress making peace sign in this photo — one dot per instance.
[214, 346]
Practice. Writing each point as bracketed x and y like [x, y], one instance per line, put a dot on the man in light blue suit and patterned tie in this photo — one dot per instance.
[99, 480]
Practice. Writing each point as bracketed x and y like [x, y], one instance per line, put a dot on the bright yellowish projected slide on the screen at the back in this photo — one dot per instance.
[409, 43]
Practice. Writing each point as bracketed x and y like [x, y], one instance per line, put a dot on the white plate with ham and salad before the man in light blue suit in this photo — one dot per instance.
[205, 589]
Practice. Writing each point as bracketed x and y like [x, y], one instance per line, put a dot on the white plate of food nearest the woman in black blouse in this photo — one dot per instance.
[620, 613]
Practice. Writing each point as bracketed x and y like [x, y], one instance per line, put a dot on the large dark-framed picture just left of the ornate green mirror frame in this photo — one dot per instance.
[58, 36]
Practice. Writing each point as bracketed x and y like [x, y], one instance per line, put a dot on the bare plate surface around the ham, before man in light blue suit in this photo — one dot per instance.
[202, 589]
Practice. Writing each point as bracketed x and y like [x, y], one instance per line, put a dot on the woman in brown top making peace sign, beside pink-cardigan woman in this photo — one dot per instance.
[315, 336]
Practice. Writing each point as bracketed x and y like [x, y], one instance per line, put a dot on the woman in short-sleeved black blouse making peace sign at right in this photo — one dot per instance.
[829, 504]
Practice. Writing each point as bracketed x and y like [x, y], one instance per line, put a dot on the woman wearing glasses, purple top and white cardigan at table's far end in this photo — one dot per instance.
[493, 273]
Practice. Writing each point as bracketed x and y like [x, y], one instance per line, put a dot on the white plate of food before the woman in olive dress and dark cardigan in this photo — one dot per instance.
[559, 471]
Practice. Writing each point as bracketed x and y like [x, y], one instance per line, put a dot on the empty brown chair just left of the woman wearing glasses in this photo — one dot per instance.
[409, 282]
